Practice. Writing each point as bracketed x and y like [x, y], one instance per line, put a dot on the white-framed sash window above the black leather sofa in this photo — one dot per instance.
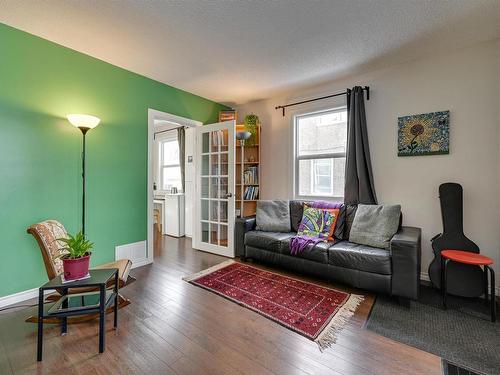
[321, 140]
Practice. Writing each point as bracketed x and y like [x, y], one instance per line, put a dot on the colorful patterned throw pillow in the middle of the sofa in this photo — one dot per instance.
[318, 222]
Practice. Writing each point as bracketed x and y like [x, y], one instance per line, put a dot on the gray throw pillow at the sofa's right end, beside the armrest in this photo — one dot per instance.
[375, 225]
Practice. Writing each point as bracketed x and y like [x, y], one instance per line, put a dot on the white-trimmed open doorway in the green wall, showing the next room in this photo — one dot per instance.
[170, 202]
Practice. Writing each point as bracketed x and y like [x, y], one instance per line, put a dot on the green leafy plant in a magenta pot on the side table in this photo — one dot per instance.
[76, 256]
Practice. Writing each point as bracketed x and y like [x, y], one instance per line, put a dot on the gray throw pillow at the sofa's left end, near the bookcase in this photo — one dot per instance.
[273, 216]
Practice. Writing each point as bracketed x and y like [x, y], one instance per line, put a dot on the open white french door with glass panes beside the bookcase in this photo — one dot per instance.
[214, 188]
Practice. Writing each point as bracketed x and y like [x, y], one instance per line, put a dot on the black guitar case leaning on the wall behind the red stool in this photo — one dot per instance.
[463, 280]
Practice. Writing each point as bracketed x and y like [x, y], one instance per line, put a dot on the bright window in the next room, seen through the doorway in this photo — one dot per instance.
[170, 169]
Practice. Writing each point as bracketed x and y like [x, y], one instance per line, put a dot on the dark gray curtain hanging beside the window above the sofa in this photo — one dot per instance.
[359, 187]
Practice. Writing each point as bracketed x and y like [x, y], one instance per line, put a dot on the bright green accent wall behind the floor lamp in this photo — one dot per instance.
[40, 166]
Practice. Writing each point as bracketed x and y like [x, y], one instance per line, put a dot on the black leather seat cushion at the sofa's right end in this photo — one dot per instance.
[361, 257]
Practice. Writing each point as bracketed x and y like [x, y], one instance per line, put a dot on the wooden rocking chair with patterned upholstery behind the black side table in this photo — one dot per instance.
[46, 234]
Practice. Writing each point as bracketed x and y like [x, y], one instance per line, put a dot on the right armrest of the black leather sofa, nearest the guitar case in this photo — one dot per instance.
[406, 250]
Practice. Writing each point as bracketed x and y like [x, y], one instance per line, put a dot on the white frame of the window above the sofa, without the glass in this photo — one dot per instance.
[297, 158]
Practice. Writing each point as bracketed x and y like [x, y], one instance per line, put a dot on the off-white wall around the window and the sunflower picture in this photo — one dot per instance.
[466, 82]
